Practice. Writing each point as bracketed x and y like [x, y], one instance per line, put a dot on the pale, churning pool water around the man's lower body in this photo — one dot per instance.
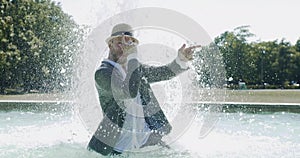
[59, 133]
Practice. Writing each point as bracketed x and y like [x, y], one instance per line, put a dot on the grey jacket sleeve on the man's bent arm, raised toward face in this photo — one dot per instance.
[111, 81]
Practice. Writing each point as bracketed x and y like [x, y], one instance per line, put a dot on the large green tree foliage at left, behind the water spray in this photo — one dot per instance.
[39, 43]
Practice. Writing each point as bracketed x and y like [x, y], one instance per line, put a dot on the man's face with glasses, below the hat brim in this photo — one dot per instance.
[116, 46]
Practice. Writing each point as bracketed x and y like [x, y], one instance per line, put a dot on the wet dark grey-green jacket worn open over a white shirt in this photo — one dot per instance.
[112, 90]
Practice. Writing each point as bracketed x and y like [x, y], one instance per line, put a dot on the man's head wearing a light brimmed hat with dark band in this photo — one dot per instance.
[121, 37]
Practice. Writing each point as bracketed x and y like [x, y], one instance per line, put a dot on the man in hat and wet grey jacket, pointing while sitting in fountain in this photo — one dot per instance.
[132, 115]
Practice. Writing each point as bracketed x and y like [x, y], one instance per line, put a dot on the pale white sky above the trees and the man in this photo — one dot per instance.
[268, 19]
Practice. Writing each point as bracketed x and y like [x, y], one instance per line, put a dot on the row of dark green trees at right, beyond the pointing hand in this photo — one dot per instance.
[257, 63]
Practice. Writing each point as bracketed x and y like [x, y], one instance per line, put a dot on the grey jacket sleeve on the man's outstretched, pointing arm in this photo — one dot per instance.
[161, 73]
